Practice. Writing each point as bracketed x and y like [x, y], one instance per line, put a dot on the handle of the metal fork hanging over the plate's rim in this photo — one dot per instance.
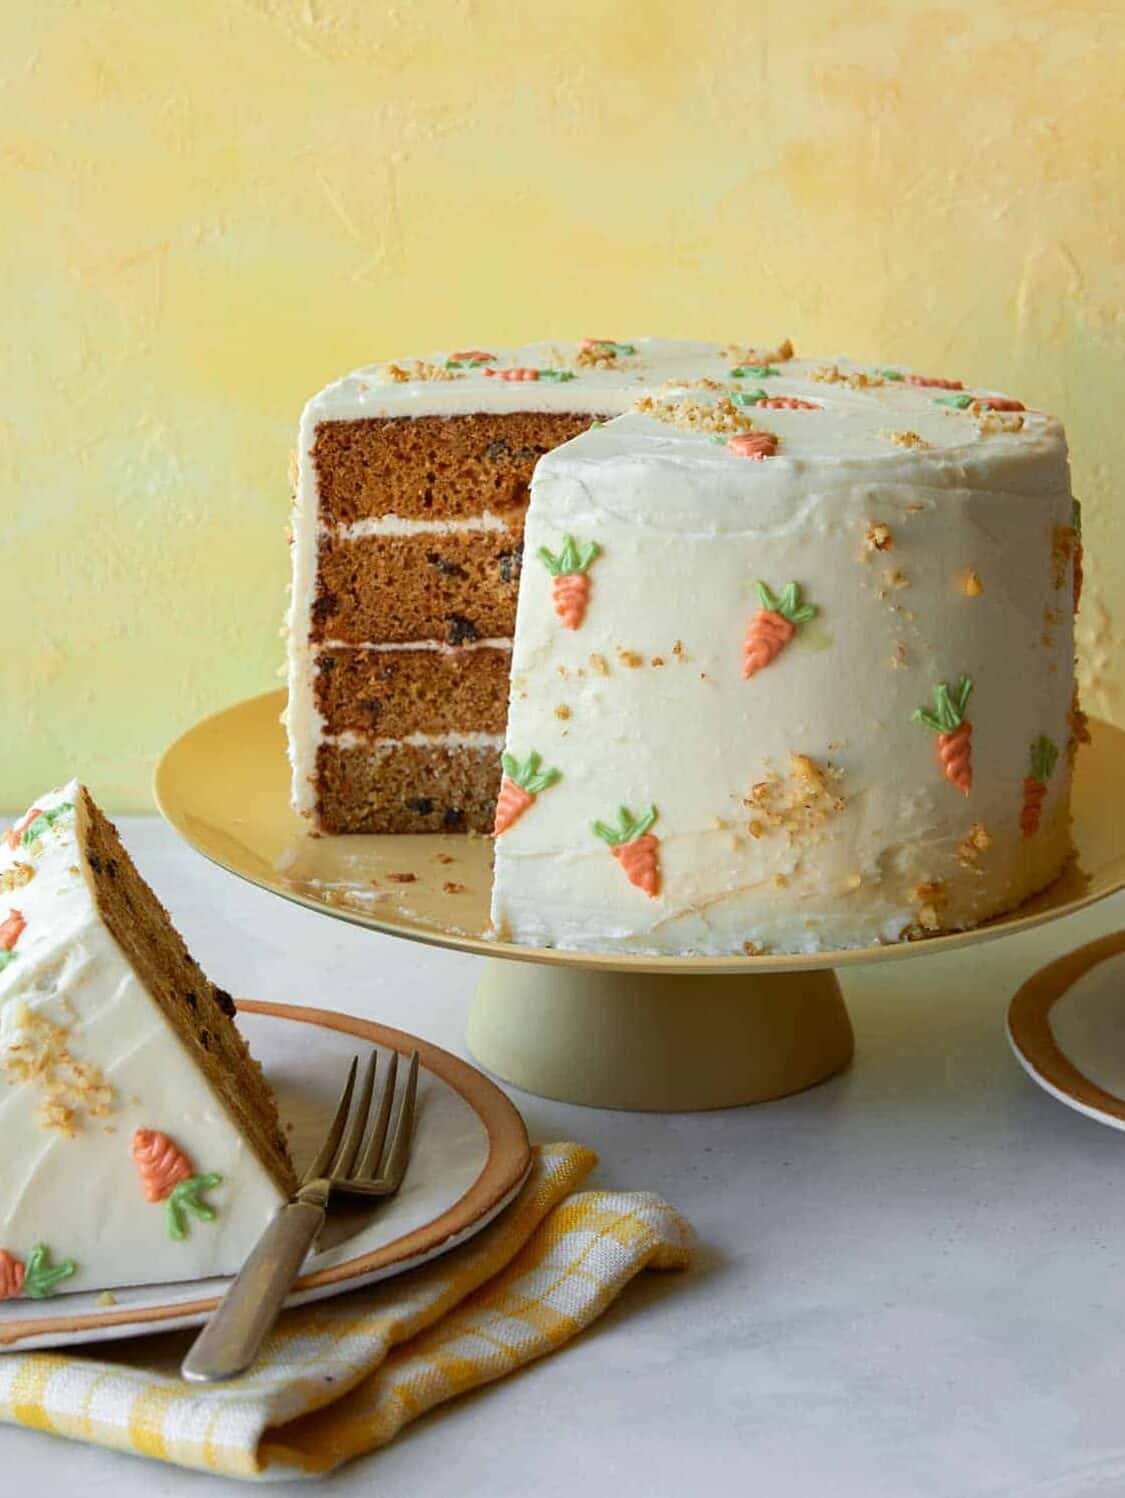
[234, 1335]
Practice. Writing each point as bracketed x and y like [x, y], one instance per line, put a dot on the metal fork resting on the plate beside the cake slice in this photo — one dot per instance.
[234, 1335]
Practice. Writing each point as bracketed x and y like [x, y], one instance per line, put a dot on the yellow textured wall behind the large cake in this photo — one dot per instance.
[212, 209]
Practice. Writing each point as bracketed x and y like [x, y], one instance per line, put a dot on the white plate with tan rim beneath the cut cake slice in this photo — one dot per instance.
[470, 1159]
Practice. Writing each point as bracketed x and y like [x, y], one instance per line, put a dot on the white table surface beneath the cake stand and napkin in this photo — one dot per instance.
[910, 1280]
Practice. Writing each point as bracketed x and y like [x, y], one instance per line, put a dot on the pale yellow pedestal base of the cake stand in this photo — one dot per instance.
[667, 1043]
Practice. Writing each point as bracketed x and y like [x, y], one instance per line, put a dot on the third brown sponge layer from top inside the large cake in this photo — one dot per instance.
[399, 693]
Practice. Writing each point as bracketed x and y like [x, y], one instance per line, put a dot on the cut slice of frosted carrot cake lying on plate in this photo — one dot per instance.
[142, 1144]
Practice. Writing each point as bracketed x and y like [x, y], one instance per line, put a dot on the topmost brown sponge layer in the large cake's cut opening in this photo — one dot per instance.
[422, 468]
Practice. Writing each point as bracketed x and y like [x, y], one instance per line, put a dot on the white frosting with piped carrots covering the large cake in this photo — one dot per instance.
[804, 807]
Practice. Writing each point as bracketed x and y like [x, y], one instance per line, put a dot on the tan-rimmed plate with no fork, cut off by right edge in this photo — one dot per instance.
[1067, 1027]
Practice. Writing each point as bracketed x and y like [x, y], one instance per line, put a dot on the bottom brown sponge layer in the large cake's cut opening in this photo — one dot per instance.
[369, 787]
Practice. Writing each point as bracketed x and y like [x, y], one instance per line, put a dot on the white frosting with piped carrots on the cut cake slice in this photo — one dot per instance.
[86, 1061]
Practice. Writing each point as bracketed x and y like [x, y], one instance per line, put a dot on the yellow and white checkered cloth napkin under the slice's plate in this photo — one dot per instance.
[344, 1377]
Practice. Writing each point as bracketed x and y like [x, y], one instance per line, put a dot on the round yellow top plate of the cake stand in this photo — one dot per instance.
[225, 789]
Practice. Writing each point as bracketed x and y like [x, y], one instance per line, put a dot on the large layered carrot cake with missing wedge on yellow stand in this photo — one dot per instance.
[793, 658]
